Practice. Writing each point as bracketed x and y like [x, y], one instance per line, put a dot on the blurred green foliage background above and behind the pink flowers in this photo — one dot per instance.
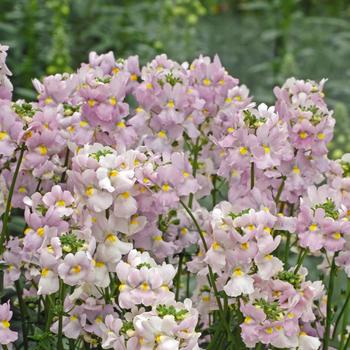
[261, 42]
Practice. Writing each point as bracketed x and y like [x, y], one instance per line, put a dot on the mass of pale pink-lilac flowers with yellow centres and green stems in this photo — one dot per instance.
[165, 210]
